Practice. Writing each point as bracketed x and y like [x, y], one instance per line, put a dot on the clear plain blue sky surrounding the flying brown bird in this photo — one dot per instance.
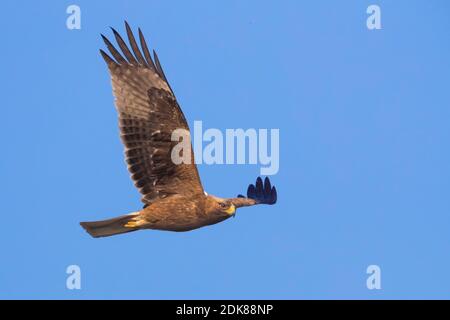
[364, 159]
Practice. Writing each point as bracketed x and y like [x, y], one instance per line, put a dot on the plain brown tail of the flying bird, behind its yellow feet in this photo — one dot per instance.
[109, 227]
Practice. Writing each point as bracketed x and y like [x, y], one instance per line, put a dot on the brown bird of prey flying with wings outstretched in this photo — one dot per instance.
[173, 196]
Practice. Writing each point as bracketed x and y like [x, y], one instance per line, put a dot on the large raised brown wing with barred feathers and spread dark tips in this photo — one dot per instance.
[148, 114]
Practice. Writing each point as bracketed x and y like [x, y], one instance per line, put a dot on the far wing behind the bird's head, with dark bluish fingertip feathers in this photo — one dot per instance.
[258, 193]
